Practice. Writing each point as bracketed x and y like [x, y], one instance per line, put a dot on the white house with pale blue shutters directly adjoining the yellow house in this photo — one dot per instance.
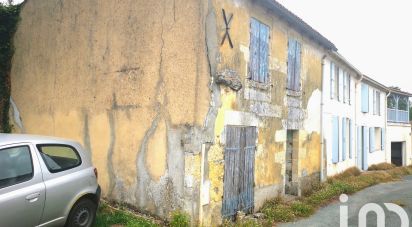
[338, 114]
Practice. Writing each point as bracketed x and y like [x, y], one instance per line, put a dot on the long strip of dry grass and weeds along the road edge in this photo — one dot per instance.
[348, 182]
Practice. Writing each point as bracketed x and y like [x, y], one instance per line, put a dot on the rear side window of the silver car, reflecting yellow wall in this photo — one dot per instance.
[59, 157]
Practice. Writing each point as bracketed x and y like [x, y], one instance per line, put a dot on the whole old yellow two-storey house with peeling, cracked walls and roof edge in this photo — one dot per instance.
[209, 106]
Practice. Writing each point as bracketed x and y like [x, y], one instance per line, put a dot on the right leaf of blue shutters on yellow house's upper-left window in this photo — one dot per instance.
[263, 52]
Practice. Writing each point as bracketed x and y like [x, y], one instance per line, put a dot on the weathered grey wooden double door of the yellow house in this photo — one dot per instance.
[239, 170]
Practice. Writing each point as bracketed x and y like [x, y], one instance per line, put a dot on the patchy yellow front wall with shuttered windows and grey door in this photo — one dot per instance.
[265, 108]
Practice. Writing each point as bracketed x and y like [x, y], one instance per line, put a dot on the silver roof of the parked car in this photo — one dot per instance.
[6, 139]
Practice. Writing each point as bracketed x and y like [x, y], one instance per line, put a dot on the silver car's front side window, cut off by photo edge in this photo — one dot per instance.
[16, 166]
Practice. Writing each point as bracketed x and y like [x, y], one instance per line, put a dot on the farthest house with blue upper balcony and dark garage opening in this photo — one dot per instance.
[398, 139]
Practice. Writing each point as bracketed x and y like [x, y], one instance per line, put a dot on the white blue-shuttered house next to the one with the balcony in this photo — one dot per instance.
[370, 122]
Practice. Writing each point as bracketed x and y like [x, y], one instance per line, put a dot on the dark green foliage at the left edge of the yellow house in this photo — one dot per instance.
[9, 17]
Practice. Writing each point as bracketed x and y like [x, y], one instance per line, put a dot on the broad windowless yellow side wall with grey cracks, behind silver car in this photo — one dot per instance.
[129, 79]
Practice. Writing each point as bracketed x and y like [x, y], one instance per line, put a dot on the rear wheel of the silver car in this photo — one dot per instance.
[82, 214]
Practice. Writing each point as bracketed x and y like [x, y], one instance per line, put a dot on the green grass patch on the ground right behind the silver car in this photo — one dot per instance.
[107, 216]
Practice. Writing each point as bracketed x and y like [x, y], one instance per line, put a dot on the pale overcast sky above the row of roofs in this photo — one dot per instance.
[374, 35]
